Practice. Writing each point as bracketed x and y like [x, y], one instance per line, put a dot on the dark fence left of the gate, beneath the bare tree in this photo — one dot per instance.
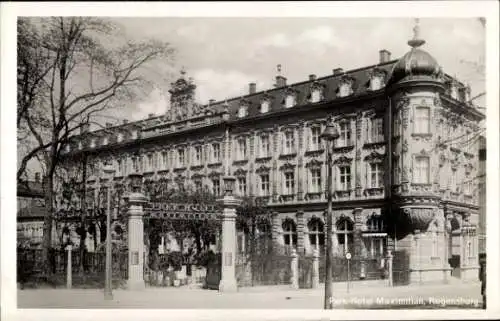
[30, 267]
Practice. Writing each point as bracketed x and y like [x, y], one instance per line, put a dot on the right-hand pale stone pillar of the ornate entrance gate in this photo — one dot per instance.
[228, 273]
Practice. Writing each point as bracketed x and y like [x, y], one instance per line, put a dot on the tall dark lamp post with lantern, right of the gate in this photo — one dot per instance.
[329, 135]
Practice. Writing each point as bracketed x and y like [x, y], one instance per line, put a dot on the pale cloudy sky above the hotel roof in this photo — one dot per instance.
[223, 55]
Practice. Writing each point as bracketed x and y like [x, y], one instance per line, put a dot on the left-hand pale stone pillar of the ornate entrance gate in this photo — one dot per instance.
[136, 241]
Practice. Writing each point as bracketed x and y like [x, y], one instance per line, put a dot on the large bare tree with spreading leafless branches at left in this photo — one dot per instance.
[71, 72]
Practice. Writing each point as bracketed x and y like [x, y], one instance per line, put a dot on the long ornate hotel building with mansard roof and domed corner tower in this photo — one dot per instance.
[404, 164]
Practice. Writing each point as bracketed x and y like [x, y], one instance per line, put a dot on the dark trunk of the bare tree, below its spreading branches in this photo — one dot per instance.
[48, 184]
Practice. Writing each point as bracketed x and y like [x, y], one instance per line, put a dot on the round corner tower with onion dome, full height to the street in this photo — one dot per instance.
[414, 88]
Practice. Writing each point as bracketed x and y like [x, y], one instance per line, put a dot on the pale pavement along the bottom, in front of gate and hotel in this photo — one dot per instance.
[432, 296]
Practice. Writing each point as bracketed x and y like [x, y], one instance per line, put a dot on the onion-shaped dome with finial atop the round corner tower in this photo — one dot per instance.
[416, 64]
